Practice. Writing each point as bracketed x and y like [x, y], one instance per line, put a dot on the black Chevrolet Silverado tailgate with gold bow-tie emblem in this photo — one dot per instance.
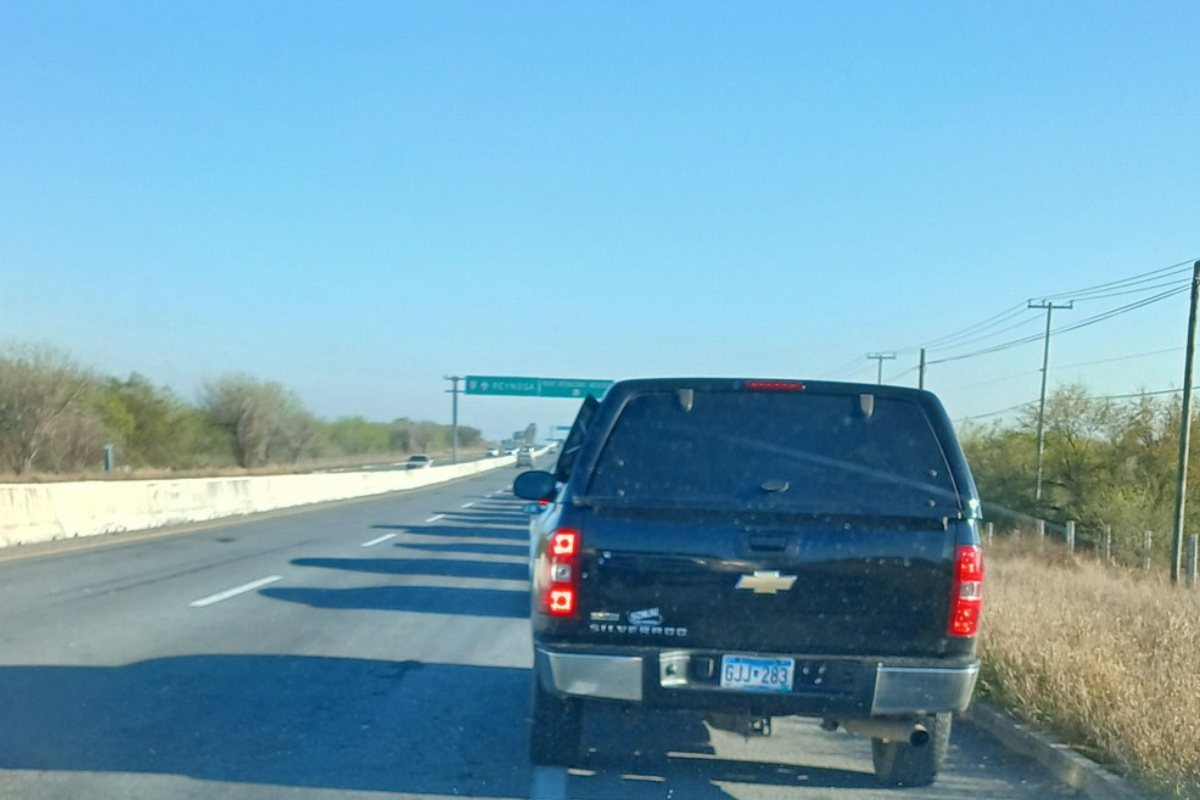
[795, 585]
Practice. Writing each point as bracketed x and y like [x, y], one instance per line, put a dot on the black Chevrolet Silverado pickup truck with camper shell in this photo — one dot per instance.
[754, 549]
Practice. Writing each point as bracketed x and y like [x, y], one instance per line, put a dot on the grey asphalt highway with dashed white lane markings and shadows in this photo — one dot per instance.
[362, 651]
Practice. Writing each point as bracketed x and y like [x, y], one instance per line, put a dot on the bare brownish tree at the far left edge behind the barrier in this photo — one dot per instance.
[41, 392]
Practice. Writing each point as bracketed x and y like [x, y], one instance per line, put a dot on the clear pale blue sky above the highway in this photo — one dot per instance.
[356, 200]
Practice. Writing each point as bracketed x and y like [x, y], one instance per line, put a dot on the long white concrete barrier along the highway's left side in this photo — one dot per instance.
[43, 513]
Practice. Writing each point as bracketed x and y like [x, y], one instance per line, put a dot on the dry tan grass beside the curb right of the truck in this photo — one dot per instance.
[1106, 659]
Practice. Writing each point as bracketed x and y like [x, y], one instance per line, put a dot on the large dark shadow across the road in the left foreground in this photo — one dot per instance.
[341, 724]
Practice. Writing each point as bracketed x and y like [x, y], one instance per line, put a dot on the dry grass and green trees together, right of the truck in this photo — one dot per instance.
[1103, 655]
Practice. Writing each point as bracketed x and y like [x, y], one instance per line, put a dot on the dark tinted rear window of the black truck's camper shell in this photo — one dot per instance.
[788, 452]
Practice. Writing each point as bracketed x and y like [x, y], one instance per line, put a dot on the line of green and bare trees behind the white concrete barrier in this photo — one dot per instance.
[57, 418]
